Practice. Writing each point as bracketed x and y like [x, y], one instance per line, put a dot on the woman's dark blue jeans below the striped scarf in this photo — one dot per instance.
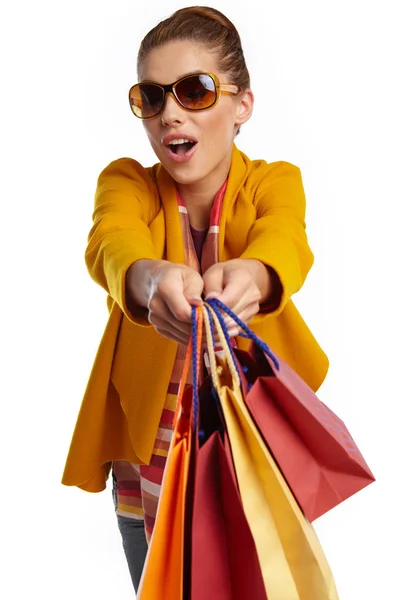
[134, 542]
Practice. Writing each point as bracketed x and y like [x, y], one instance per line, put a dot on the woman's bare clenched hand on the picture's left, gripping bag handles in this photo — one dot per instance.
[168, 291]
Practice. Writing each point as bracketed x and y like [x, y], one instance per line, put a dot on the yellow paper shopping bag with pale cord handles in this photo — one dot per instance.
[292, 562]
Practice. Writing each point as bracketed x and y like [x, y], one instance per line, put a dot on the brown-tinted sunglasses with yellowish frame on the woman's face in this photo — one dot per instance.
[194, 92]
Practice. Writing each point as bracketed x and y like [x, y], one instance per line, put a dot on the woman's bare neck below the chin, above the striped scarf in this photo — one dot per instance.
[199, 197]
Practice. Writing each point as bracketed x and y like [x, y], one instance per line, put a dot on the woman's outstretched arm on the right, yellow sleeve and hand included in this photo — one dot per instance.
[277, 259]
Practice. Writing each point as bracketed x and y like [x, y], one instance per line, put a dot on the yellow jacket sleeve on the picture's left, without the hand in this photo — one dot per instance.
[120, 234]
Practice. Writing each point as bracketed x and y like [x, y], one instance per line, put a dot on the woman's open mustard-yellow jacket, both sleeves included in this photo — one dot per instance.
[136, 217]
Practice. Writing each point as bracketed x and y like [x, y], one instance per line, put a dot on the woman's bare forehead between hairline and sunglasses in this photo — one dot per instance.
[175, 60]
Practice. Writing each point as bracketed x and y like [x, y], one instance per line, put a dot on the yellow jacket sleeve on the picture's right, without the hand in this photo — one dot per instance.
[278, 237]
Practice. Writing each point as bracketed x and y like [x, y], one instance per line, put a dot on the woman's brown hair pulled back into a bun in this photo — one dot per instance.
[205, 26]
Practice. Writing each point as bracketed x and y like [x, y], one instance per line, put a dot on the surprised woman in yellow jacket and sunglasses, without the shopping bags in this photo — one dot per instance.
[205, 221]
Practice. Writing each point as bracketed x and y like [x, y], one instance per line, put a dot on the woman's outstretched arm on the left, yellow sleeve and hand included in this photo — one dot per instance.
[121, 256]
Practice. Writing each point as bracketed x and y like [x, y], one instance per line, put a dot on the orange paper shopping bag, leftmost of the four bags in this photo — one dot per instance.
[163, 573]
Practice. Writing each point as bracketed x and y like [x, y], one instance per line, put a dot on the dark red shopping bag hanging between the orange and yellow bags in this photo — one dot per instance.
[224, 561]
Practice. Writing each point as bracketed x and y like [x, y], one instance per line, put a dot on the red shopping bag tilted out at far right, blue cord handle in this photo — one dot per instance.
[312, 446]
